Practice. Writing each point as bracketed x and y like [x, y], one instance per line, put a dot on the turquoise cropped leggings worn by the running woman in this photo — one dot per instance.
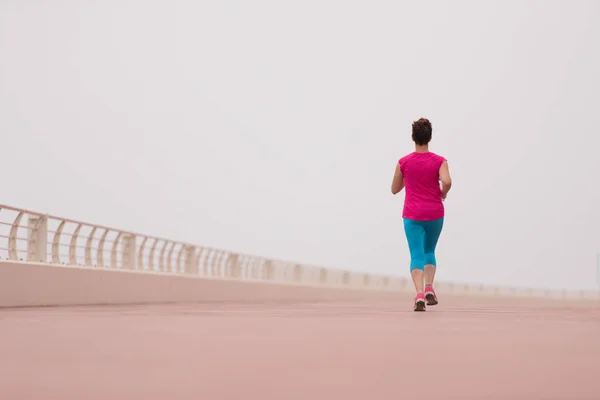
[422, 237]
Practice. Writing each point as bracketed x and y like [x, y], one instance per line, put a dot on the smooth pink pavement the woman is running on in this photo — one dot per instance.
[372, 349]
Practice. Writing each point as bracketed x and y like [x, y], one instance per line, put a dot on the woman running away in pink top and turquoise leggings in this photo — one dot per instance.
[420, 173]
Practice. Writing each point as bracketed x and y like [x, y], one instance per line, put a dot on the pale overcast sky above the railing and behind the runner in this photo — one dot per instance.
[273, 127]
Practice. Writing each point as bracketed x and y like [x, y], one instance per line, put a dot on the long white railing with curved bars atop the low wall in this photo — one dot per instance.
[35, 237]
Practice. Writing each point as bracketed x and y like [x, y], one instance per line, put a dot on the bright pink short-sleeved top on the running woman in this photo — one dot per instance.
[423, 199]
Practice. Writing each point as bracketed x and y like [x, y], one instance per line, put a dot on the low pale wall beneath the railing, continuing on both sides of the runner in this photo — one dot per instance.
[24, 284]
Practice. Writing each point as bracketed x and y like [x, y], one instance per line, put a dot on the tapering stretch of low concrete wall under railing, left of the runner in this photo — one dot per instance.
[28, 284]
